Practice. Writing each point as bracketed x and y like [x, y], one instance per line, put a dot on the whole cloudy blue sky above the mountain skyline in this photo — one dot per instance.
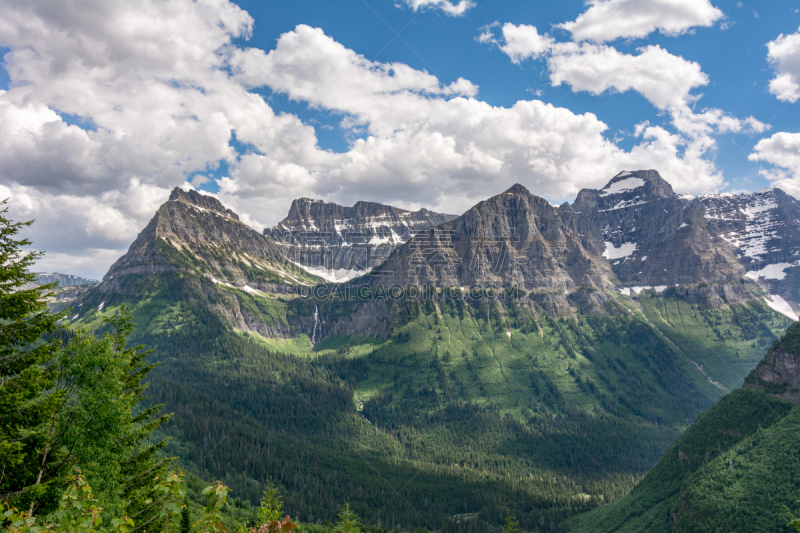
[414, 103]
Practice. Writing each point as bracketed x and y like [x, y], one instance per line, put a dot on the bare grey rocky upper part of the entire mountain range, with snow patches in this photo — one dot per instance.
[634, 234]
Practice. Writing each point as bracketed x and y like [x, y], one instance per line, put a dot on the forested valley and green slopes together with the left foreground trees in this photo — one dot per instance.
[152, 414]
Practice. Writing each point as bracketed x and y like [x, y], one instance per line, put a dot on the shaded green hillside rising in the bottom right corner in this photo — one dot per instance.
[733, 470]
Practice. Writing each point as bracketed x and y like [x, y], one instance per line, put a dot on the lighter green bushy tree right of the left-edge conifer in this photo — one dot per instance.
[102, 383]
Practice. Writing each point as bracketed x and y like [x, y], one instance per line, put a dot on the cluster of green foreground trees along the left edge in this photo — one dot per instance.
[71, 405]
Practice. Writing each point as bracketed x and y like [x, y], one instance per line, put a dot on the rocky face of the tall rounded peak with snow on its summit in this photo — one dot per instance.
[649, 235]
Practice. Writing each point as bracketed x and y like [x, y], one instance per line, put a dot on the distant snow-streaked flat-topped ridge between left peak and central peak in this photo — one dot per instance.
[317, 234]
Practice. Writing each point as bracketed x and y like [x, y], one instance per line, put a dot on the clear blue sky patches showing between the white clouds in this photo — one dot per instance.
[734, 59]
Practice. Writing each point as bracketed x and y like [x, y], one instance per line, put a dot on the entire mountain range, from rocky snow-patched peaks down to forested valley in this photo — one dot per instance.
[519, 357]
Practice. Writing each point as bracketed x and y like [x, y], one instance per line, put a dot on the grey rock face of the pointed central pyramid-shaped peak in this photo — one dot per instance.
[513, 239]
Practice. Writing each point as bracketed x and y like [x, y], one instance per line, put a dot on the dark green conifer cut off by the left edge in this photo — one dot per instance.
[28, 459]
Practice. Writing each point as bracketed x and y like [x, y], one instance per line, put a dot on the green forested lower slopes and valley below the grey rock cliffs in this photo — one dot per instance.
[466, 408]
